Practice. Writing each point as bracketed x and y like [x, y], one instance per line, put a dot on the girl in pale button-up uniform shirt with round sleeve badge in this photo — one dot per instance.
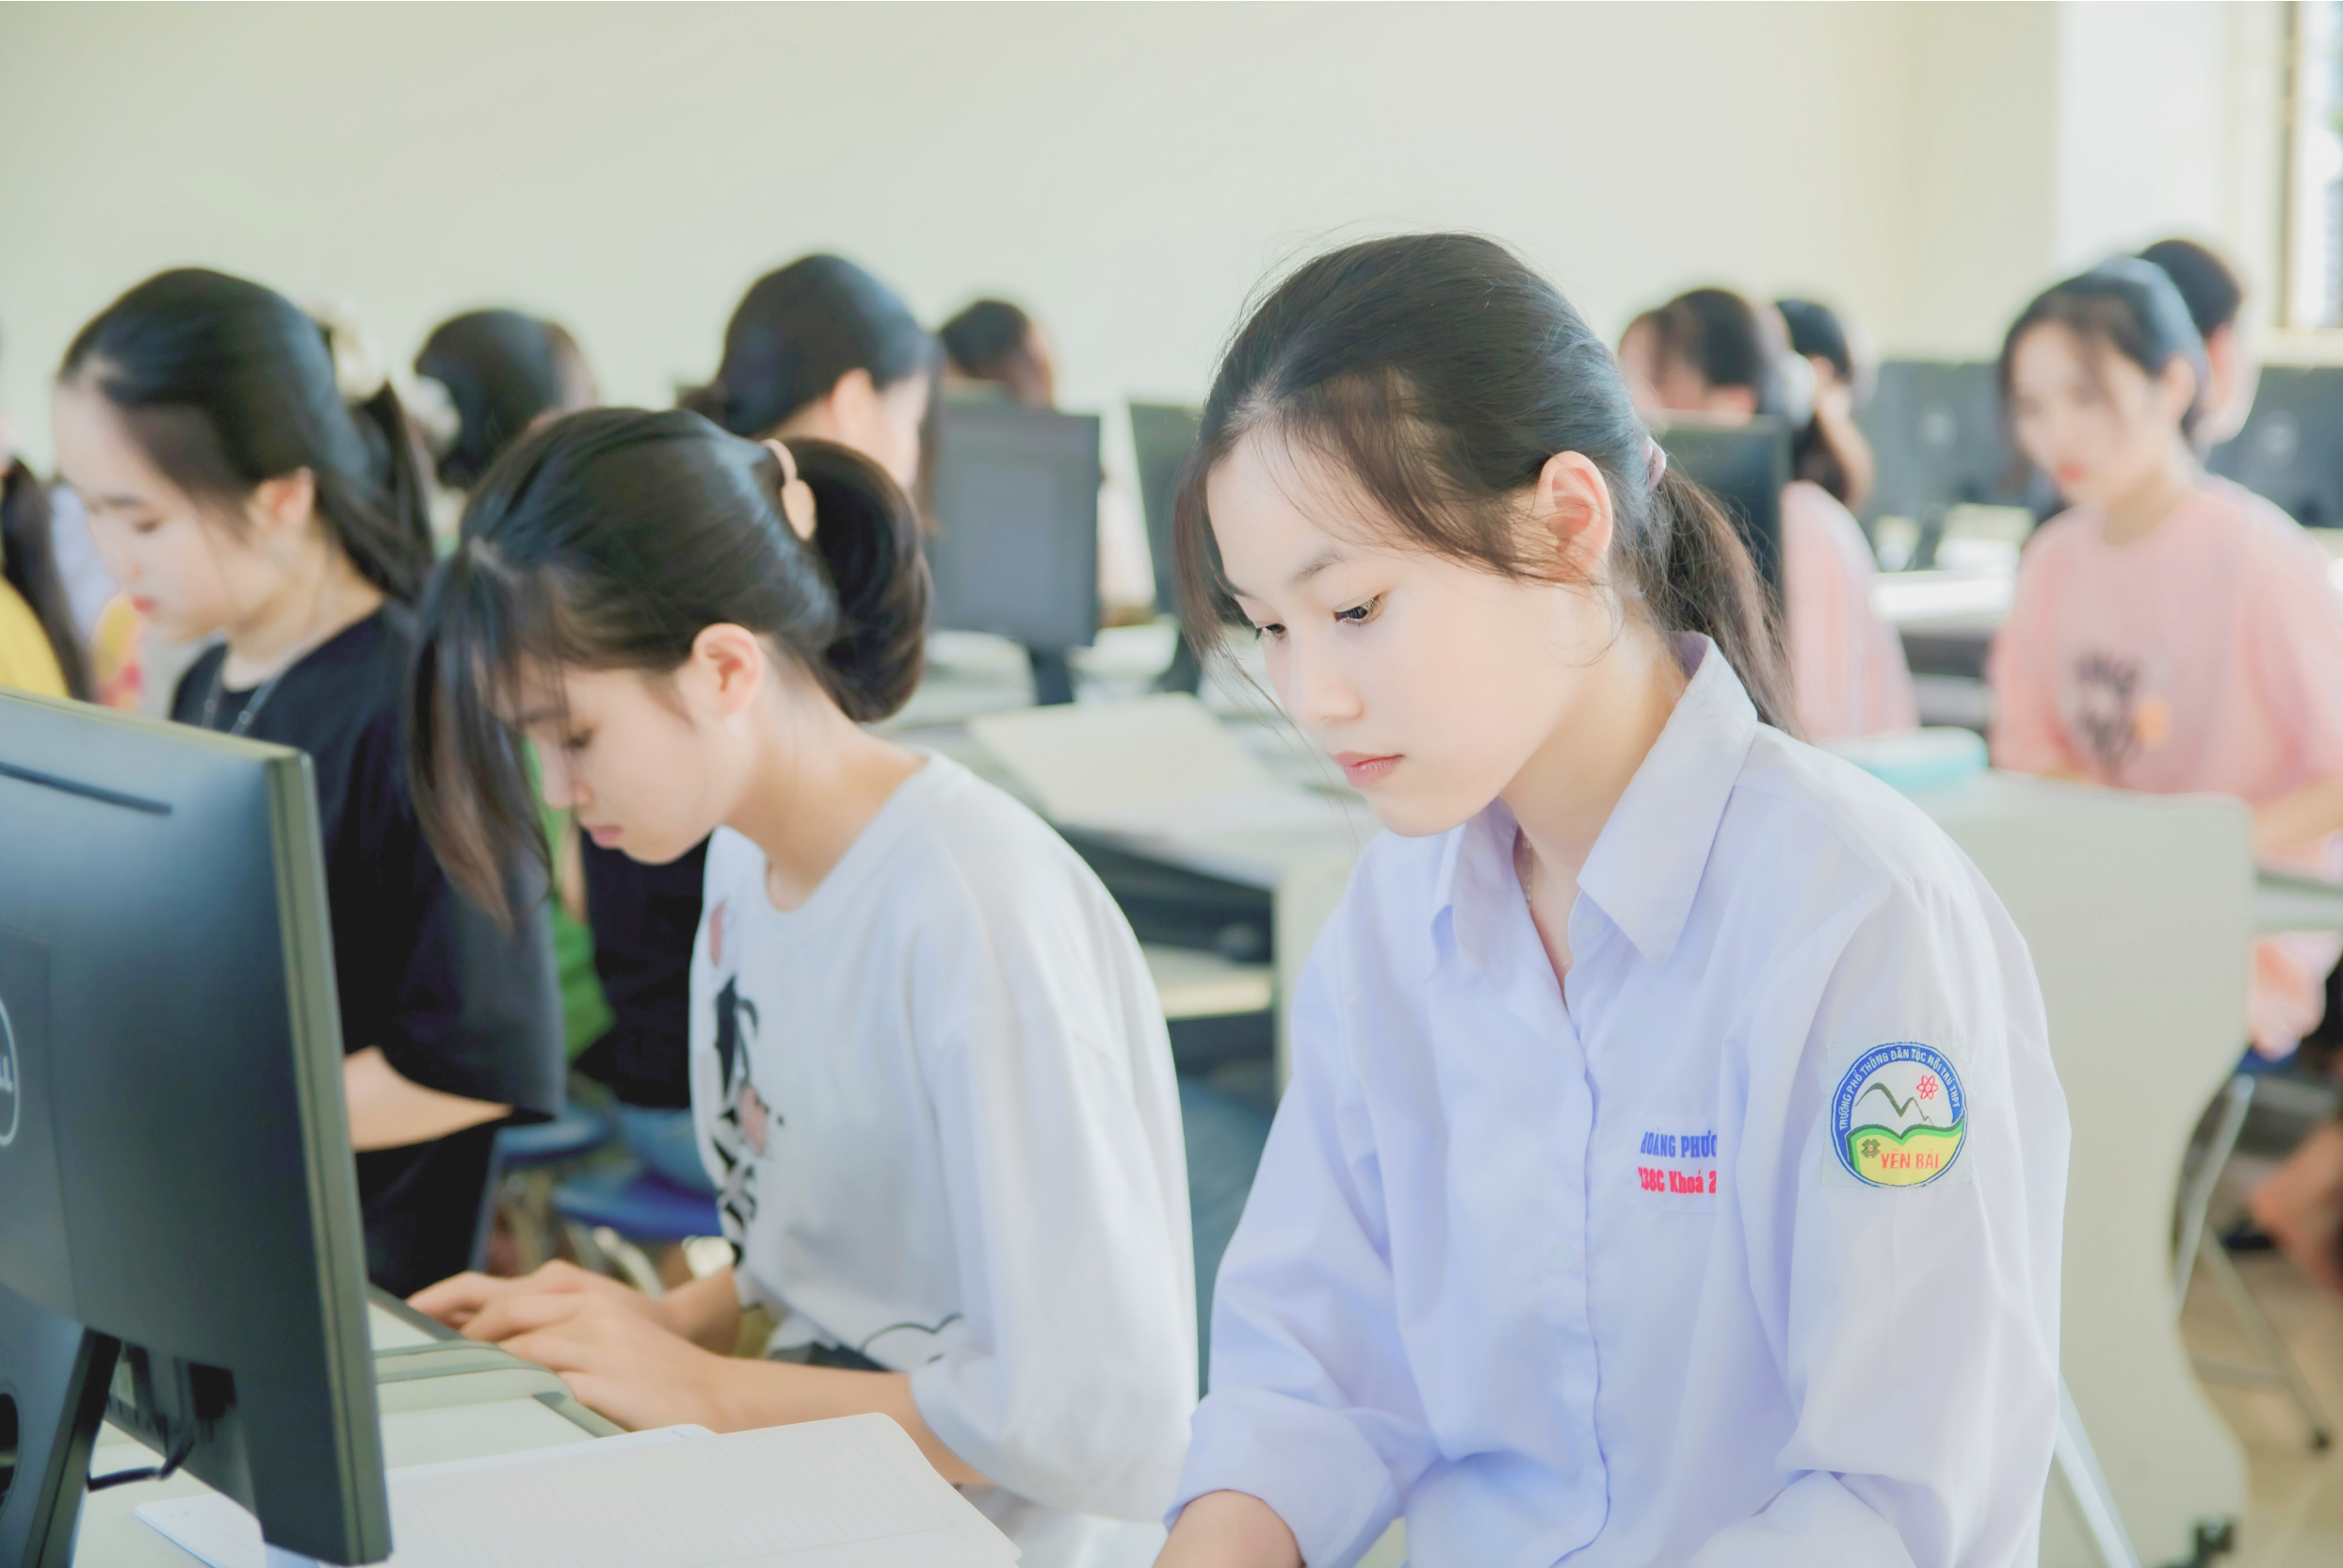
[1674, 1166]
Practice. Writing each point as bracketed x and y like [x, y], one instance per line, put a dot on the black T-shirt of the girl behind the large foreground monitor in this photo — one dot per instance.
[456, 1002]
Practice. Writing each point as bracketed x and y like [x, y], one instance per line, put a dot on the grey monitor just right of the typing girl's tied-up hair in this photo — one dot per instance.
[1016, 547]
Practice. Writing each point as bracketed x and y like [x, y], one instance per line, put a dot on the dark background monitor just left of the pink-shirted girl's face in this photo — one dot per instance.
[1941, 442]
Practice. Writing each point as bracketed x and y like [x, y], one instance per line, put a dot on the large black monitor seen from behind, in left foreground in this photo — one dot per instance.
[179, 1215]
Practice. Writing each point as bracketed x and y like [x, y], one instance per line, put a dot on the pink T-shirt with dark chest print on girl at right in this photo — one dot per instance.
[2204, 657]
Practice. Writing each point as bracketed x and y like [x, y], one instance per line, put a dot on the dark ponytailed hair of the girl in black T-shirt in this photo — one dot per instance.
[226, 386]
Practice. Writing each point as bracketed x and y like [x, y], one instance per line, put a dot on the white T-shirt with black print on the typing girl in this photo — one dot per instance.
[938, 1103]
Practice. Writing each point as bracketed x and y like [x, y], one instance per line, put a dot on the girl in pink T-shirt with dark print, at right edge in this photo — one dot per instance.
[2173, 632]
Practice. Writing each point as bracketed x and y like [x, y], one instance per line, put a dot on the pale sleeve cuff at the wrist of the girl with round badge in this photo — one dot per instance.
[1309, 1464]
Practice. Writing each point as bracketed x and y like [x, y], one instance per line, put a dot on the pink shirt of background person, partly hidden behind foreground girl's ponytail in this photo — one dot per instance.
[1847, 664]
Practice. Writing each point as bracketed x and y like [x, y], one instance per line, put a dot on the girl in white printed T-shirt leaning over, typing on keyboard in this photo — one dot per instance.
[929, 1068]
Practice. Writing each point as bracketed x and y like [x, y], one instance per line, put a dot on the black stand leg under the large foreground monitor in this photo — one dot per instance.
[53, 1400]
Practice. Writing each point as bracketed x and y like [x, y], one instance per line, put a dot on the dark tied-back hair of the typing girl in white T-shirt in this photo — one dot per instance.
[610, 540]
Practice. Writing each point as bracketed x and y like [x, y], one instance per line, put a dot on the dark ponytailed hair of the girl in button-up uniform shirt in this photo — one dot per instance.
[1442, 374]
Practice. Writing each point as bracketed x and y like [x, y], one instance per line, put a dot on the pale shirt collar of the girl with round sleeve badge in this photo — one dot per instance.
[1646, 866]
